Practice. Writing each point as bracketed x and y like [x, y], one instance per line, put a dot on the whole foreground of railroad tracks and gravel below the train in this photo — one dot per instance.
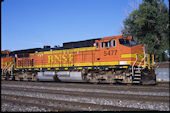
[43, 96]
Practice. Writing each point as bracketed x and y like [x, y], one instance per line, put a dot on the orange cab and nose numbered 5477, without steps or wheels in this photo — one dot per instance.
[121, 49]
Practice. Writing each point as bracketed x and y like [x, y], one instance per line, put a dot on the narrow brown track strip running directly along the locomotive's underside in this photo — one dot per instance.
[160, 86]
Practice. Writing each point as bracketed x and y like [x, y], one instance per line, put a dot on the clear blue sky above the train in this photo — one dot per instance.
[29, 24]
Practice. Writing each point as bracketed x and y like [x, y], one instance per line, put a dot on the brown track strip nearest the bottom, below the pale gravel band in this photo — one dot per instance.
[76, 106]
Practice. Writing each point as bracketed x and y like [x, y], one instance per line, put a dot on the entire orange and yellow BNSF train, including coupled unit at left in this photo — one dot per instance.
[114, 59]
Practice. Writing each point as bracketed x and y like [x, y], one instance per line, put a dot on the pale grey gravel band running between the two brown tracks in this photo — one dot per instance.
[101, 101]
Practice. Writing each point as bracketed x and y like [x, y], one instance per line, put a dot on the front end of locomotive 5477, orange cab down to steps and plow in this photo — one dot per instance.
[124, 52]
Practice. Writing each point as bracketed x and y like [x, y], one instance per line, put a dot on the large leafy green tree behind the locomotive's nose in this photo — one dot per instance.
[149, 25]
